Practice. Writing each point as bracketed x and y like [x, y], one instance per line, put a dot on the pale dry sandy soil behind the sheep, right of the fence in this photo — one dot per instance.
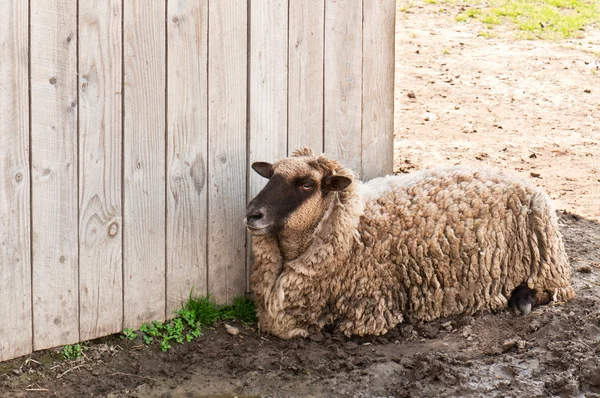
[528, 106]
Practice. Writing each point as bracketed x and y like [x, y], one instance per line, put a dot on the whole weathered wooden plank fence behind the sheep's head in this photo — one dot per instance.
[126, 132]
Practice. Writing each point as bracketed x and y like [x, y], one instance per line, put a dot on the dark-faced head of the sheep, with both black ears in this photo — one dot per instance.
[297, 194]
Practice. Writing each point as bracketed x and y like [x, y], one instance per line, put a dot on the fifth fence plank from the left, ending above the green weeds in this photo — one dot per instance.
[187, 137]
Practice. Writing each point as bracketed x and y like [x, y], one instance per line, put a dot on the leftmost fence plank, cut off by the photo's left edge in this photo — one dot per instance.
[15, 262]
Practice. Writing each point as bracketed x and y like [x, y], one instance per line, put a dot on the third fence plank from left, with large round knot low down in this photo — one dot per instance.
[100, 226]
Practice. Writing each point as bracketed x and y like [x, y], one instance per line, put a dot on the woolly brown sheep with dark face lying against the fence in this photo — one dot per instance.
[364, 257]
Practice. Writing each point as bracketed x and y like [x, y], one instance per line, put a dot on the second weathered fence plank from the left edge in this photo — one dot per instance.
[54, 172]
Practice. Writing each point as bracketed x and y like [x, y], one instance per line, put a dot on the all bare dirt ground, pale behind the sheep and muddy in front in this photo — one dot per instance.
[528, 106]
